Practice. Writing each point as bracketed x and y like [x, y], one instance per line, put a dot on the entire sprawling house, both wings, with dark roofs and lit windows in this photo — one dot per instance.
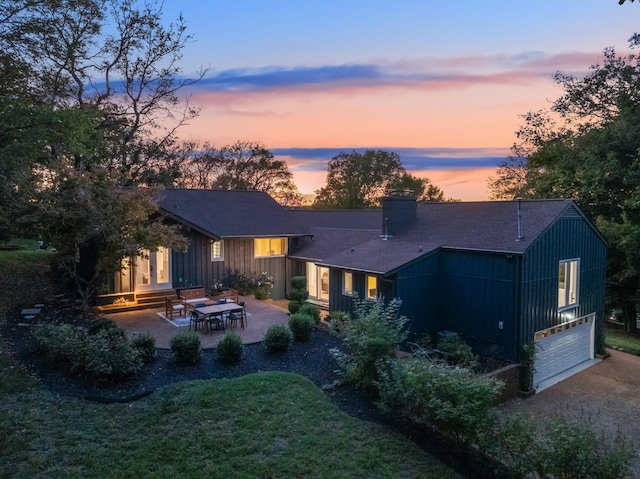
[502, 274]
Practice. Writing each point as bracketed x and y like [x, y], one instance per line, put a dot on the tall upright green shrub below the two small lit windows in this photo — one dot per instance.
[375, 334]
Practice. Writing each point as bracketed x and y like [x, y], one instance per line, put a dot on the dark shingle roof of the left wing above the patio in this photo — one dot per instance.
[230, 213]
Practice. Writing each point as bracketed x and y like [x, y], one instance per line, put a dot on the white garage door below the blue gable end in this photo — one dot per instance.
[563, 347]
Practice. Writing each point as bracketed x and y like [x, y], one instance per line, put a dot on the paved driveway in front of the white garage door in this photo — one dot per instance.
[607, 394]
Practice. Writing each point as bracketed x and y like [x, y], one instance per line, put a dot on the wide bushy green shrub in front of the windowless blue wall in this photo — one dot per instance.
[453, 399]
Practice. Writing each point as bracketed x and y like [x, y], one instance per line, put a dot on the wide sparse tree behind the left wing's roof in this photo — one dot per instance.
[244, 165]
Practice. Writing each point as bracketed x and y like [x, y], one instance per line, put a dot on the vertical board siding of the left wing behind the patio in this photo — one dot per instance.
[195, 268]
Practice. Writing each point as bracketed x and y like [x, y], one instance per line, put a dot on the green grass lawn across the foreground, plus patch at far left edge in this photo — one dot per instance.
[267, 425]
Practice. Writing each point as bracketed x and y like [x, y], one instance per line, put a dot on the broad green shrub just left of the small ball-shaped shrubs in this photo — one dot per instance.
[109, 355]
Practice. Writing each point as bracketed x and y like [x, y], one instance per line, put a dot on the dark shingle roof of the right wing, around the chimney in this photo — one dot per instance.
[481, 226]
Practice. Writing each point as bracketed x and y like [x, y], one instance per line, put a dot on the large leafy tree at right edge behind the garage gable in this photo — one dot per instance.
[586, 147]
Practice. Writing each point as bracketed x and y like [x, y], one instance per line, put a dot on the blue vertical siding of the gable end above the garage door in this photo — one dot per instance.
[570, 237]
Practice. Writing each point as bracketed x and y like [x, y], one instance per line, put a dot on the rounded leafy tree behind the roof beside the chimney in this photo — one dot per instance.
[359, 180]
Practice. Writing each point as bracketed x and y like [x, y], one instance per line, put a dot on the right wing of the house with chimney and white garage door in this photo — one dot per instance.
[503, 274]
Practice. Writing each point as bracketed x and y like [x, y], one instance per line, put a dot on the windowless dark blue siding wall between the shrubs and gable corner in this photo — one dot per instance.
[477, 298]
